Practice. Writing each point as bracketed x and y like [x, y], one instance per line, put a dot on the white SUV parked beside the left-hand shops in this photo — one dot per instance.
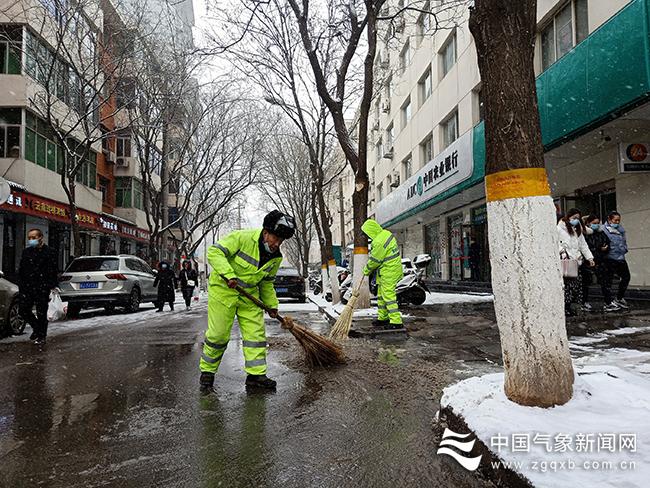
[108, 281]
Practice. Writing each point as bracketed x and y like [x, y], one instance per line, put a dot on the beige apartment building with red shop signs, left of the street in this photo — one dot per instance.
[108, 190]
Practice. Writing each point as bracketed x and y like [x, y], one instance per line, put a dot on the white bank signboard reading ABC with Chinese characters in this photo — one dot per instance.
[449, 168]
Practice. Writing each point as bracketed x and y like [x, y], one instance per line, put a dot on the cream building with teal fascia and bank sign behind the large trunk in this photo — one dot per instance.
[427, 153]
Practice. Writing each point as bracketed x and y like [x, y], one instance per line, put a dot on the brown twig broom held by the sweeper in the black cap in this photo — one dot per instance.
[319, 351]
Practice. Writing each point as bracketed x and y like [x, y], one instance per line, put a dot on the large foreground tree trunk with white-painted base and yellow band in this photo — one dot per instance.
[526, 276]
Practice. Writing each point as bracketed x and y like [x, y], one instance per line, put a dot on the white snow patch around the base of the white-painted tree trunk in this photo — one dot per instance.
[601, 437]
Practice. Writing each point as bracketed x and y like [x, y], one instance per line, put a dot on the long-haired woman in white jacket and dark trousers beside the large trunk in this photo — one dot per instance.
[573, 246]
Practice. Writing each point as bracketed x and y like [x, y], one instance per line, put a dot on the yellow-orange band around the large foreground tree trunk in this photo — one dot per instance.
[516, 183]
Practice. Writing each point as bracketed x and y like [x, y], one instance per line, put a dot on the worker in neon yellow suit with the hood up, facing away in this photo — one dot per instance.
[385, 258]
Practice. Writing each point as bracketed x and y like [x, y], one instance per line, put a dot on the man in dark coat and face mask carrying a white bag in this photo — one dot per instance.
[37, 276]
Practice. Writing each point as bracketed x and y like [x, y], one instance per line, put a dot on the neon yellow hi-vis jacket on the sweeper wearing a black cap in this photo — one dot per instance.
[237, 256]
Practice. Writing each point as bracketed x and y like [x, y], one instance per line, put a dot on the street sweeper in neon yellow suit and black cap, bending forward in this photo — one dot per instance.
[249, 259]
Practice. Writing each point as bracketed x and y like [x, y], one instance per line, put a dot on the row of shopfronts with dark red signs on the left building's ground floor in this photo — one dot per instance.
[100, 234]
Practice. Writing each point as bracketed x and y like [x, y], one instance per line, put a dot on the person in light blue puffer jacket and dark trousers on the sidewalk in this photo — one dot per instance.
[615, 263]
